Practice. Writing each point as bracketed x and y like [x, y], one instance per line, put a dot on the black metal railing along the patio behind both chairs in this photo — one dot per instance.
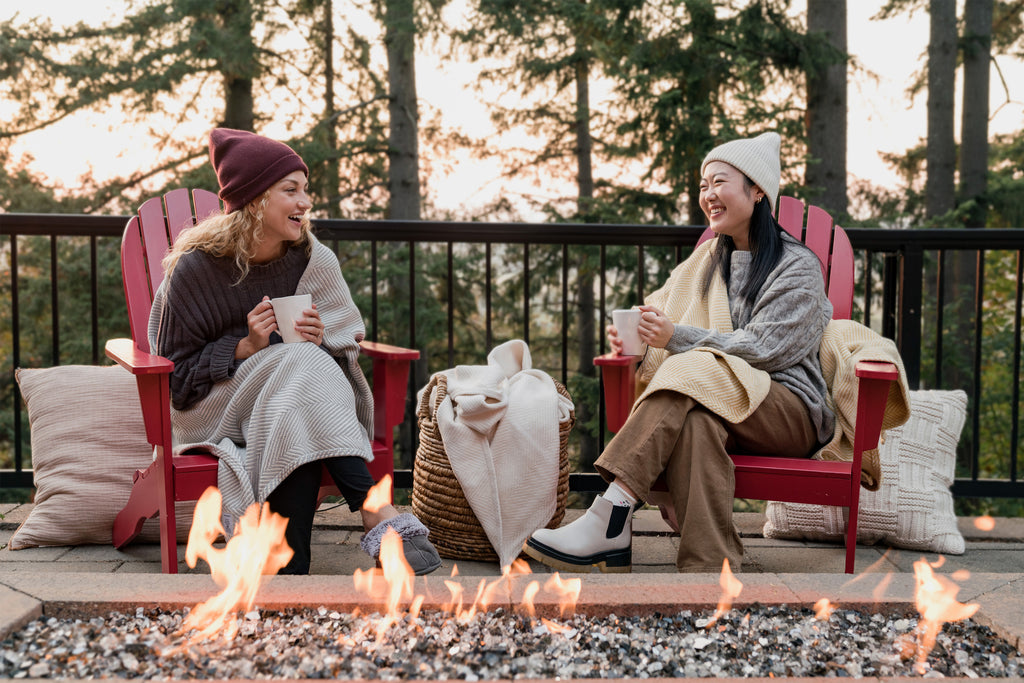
[952, 300]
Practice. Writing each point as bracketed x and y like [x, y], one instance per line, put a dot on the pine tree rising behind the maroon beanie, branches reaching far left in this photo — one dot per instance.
[135, 64]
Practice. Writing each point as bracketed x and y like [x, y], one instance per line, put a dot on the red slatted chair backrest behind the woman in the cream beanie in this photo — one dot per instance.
[830, 243]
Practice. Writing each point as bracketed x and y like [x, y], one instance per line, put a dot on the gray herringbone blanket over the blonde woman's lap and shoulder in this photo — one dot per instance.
[286, 406]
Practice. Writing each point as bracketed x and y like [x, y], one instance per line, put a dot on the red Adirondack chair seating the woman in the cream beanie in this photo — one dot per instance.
[788, 480]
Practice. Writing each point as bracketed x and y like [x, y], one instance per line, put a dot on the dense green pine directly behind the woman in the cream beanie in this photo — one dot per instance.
[697, 73]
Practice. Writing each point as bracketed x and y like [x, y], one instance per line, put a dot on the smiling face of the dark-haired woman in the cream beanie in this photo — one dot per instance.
[729, 201]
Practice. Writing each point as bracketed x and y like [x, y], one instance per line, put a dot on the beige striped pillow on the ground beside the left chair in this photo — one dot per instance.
[88, 441]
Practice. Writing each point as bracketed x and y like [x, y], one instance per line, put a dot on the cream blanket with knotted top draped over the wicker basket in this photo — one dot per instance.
[500, 428]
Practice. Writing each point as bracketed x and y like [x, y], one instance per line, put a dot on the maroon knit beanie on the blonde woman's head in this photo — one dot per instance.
[248, 164]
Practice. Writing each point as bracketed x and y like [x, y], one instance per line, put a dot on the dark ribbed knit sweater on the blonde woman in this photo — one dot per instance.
[205, 317]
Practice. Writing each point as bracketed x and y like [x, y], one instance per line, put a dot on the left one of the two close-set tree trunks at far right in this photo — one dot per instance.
[942, 157]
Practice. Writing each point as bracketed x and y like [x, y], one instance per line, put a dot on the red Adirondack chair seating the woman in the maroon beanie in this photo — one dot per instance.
[184, 478]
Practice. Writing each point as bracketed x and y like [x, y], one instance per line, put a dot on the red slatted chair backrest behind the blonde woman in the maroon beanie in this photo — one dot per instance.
[148, 239]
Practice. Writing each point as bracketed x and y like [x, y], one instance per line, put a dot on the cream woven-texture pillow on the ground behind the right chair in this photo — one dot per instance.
[913, 508]
